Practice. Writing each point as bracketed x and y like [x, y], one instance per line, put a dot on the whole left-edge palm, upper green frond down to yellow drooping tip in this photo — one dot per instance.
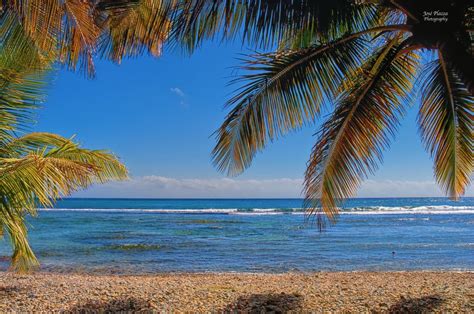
[36, 168]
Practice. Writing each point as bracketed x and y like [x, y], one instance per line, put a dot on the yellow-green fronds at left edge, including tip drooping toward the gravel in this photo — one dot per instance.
[42, 167]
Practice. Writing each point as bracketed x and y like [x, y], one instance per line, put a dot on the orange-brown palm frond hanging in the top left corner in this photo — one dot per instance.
[66, 29]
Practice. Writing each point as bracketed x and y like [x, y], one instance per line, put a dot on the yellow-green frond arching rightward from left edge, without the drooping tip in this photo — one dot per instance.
[38, 152]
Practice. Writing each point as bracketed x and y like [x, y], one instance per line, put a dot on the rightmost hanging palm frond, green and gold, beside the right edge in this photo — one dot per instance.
[446, 125]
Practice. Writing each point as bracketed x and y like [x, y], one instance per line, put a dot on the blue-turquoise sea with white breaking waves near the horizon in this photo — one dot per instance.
[250, 235]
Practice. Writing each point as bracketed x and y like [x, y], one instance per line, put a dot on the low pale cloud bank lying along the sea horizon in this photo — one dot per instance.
[165, 187]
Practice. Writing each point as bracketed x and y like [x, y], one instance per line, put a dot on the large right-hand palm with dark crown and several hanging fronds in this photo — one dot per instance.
[367, 58]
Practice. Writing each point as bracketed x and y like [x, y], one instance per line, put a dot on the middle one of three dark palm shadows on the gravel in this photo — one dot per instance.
[265, 303]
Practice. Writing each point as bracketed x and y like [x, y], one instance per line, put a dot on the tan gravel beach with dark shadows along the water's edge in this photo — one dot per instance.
[388, 292]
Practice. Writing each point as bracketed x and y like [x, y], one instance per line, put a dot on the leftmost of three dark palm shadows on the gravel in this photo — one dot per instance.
[125, 305]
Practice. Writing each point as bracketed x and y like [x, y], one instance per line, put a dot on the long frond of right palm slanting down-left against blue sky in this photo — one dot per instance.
[284, 91]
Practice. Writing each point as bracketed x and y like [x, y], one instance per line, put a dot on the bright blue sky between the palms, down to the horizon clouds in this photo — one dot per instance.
[158, 114]
